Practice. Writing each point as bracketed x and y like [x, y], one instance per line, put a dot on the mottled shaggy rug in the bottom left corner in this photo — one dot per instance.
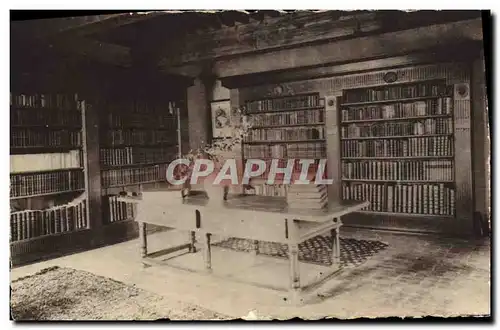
[67, 294]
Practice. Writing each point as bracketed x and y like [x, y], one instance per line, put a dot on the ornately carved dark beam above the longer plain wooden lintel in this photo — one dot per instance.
[283, 31]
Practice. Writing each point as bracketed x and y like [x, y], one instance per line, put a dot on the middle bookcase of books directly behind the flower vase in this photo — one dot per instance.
[284, 128]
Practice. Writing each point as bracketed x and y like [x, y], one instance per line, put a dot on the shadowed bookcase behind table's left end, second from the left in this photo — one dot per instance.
[138, 140]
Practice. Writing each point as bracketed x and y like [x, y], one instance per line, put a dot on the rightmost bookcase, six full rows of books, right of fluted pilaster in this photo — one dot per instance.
[397, 148]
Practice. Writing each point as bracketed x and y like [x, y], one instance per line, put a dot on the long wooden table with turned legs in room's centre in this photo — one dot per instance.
[256, 218]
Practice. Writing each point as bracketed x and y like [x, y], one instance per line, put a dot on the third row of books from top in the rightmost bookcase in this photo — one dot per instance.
[406, 128]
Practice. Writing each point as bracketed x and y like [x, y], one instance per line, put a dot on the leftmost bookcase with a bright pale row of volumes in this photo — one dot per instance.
[46, 164]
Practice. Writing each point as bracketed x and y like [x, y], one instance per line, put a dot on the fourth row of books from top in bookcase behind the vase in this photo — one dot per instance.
[310, 150]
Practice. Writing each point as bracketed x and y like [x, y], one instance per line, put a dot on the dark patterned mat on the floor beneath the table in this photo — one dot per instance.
[316, 250]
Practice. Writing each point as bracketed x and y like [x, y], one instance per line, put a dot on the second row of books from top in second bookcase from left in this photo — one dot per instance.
[140, 120]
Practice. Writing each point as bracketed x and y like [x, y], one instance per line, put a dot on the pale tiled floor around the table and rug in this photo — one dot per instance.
[412, 276]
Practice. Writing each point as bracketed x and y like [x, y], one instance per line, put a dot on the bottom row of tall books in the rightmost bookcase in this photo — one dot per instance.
[423, 199]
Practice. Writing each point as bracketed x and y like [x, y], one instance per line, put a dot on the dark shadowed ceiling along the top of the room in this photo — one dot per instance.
[126, 38]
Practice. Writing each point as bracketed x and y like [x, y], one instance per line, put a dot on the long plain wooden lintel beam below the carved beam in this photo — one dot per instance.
[350, 50]
